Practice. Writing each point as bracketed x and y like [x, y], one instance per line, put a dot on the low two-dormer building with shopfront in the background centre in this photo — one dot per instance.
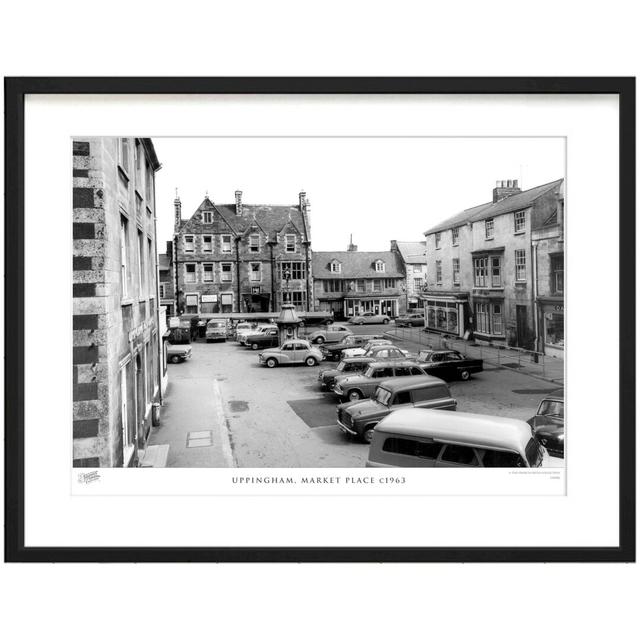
[352, 282]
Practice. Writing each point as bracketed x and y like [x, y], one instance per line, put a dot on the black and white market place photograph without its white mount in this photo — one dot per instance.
[319, 302]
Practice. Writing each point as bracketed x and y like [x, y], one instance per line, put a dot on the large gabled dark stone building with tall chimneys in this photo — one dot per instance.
[242, 257]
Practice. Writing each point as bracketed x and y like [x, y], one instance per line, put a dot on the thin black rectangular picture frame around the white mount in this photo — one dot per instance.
[15, 91]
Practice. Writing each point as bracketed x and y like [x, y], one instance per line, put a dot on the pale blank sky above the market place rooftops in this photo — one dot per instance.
[378, 189]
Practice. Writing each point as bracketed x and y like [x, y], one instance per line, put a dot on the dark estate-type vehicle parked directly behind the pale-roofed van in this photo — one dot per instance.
[424, 392]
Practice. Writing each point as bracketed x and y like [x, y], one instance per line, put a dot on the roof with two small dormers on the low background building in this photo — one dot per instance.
[357, 264]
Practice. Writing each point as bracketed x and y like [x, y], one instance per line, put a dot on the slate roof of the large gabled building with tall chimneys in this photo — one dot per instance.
[271, 219]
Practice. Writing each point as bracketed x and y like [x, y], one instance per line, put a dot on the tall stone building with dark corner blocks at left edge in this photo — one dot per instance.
[116, 342]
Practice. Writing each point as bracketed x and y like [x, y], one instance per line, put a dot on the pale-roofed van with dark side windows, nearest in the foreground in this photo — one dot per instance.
[431, 438]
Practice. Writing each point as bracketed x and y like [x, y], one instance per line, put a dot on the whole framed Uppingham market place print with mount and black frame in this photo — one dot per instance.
[320, 319]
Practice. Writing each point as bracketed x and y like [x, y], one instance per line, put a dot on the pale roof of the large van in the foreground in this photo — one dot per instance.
[472, 429]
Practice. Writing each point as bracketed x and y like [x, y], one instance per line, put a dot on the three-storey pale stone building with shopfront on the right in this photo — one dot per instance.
[488, 267]
